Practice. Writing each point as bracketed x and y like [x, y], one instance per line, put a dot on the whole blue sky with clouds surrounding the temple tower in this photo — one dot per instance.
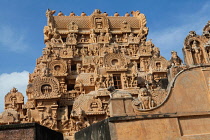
[22, 22]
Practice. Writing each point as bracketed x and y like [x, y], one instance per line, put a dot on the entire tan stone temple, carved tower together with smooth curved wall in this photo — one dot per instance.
[101, 68]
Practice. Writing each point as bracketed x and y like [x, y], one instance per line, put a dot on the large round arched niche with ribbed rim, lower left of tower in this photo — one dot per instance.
[45, 87]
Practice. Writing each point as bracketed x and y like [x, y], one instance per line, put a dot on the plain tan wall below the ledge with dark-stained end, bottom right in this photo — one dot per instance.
[149, 127]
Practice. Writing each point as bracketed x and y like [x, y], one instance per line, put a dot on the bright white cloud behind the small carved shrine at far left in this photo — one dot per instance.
[18, 80]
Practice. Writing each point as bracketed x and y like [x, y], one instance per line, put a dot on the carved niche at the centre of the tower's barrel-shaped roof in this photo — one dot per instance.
[99, 22]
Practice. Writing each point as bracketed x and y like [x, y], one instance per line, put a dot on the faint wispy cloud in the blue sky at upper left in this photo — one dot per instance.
[12, 39]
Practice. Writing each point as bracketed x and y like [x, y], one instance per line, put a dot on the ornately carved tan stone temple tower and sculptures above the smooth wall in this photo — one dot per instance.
[95, 65]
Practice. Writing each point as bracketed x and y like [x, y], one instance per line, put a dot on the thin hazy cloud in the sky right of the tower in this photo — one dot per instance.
[172, 37]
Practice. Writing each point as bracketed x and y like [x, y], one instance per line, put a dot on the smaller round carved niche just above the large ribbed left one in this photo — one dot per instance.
[58, 67]
